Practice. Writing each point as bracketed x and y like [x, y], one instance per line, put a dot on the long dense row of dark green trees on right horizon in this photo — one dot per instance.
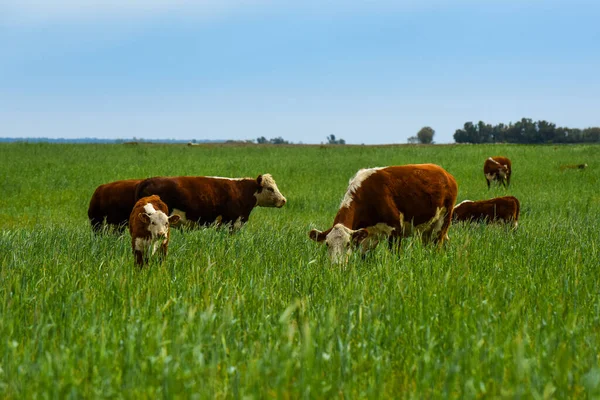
[525, 131]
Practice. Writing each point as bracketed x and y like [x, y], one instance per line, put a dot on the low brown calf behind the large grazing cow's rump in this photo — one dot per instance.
[502, 209]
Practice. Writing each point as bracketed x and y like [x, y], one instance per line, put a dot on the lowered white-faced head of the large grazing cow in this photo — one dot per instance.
[339, 241]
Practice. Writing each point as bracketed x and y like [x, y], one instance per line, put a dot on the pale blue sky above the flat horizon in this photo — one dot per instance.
[366, 71]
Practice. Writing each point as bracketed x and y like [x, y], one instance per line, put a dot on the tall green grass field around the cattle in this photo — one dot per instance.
[263, 314]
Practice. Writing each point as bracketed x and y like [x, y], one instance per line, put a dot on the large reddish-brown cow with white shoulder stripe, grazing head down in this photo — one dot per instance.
[392, 202]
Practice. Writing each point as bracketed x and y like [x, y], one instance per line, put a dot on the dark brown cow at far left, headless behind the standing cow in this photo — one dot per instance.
[112, 202]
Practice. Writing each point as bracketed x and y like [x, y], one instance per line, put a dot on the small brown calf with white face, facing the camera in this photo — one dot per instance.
[149, 228]
